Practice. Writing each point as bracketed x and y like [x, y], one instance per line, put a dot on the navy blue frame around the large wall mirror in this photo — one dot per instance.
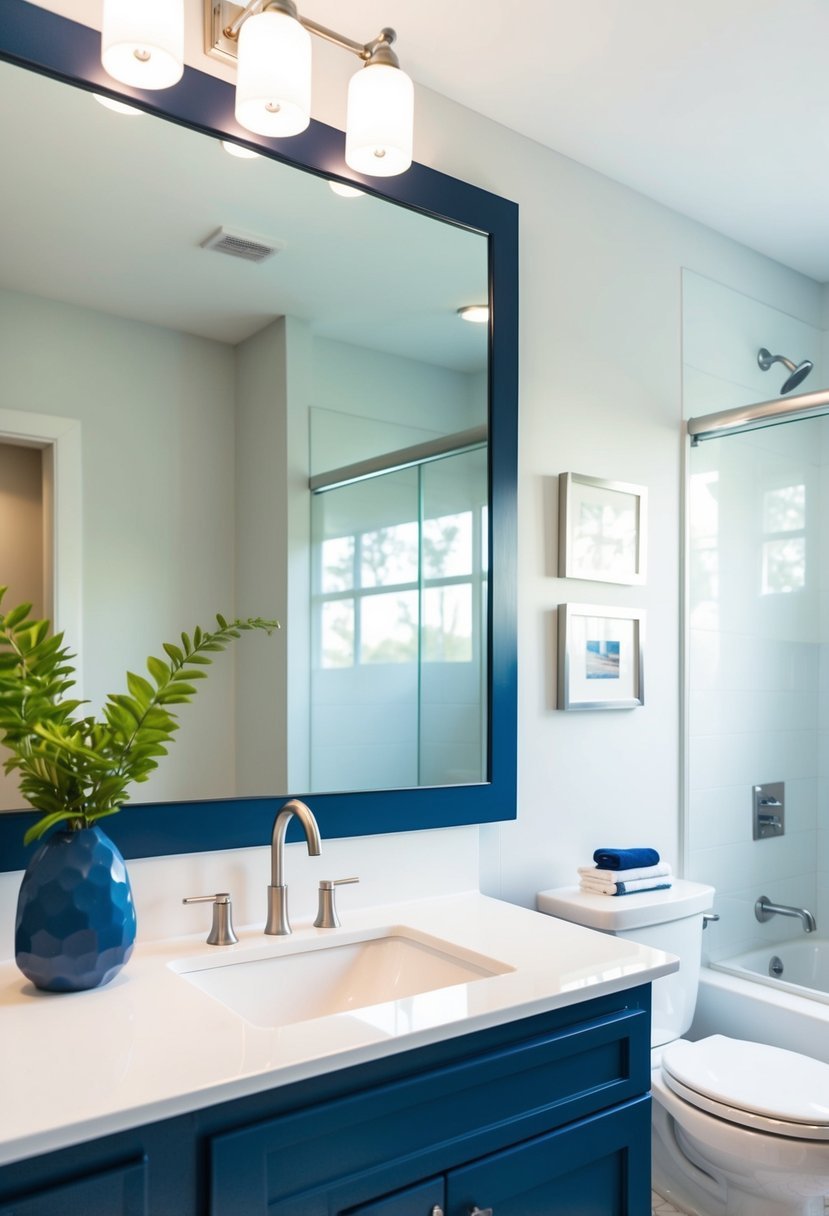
[55, 47]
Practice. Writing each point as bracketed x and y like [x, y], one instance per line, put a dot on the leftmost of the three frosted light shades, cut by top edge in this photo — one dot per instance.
[143, 42]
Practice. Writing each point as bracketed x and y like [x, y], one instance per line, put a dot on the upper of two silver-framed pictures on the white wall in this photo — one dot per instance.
[602, 530]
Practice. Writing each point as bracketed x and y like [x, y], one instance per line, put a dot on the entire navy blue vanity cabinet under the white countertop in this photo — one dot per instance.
[548, 1116]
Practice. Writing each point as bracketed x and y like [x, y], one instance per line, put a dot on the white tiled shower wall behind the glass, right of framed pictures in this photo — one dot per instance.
[755, 673]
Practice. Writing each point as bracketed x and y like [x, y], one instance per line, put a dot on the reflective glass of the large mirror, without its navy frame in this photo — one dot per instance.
[208, 390]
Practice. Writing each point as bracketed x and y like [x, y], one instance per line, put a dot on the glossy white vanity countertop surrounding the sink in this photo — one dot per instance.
[475, 924]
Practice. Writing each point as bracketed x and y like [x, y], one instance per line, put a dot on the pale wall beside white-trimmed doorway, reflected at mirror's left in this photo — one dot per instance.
[156, 413]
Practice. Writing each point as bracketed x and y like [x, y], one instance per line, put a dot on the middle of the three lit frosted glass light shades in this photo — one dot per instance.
[274, 76]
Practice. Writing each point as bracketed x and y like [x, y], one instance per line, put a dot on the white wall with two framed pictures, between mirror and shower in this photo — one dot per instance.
[600, 395]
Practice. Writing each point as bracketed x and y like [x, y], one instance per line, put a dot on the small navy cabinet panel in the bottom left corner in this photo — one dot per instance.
[121, 1192]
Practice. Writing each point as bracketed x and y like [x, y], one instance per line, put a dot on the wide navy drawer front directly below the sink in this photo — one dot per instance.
[487, 1102]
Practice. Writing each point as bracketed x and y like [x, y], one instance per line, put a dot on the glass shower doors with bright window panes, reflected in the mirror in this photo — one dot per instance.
[399, 627]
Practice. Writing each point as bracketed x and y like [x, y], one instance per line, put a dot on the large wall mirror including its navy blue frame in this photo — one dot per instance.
[235, 390]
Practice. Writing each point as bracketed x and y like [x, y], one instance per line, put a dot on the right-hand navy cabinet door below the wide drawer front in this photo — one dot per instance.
[596, 1168]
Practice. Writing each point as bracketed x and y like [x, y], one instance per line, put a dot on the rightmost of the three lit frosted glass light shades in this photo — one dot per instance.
[380, 122]
